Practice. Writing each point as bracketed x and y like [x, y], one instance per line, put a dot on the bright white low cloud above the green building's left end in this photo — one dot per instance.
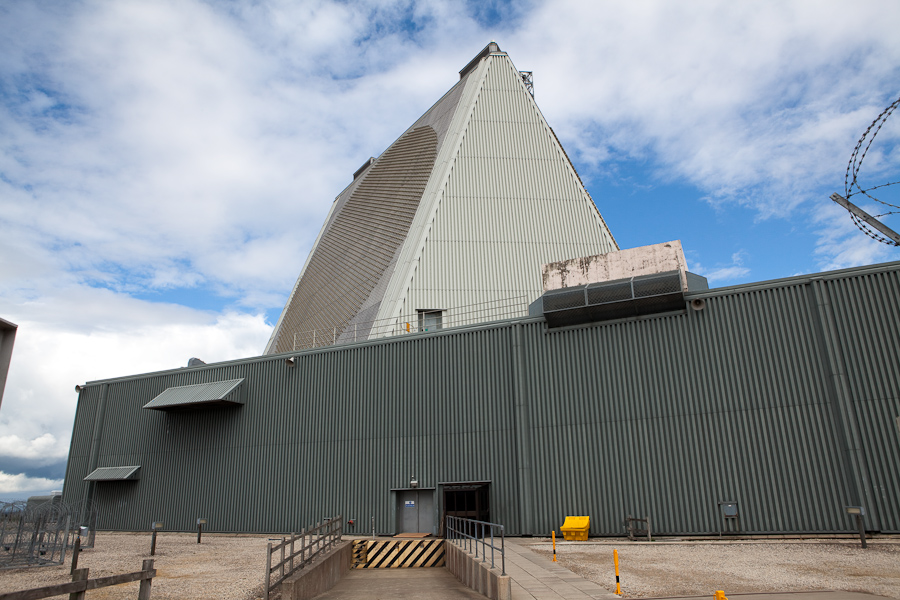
[82, 334]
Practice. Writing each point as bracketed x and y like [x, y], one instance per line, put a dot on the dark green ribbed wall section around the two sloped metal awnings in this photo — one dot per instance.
[332, 435]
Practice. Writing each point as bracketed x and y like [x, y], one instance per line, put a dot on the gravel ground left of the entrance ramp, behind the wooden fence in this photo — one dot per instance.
[223, 567]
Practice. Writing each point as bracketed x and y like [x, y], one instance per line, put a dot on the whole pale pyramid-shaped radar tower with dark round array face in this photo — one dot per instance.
[450, 225]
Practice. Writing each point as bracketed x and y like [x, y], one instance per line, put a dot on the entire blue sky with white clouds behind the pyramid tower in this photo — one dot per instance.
[166, 165]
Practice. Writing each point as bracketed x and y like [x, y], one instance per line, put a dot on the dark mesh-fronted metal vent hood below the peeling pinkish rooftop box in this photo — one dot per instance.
[642, 295]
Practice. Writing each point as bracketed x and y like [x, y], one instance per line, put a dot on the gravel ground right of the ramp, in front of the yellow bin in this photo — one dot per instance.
[659, 569]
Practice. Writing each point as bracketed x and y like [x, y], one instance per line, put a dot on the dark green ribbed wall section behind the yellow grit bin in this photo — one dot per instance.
[668, 416]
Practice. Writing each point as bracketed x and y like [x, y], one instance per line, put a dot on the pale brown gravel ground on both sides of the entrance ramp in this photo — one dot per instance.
[231, 567]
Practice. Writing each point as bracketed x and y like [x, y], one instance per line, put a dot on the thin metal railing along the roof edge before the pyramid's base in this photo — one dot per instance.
[421, 321]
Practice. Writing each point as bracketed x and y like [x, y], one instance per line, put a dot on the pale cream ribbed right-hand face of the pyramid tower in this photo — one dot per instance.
[512, 203]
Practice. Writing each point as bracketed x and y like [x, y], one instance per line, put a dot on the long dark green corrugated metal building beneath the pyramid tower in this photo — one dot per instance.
[781, 396]
